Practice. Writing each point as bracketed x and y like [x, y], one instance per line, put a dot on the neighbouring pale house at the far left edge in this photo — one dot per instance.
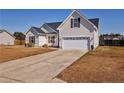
[6, 38]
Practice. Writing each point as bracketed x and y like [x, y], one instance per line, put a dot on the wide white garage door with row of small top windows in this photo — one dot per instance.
[75, 43]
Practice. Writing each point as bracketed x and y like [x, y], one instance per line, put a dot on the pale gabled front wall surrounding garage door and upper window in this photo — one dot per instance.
[85, 30]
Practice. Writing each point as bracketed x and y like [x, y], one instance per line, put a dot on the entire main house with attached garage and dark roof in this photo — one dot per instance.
[75, 32]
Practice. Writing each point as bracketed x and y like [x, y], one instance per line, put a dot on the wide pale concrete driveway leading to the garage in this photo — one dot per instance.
[39, 68]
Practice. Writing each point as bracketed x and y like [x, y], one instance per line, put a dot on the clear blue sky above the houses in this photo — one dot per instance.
[20, 20]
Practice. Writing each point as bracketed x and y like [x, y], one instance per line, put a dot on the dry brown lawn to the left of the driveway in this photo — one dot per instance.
[14, 52]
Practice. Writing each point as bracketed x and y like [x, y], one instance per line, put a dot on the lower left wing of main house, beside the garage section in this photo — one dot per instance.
[46, 34]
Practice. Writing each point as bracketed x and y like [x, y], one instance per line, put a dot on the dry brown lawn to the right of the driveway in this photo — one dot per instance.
[105, 64]
